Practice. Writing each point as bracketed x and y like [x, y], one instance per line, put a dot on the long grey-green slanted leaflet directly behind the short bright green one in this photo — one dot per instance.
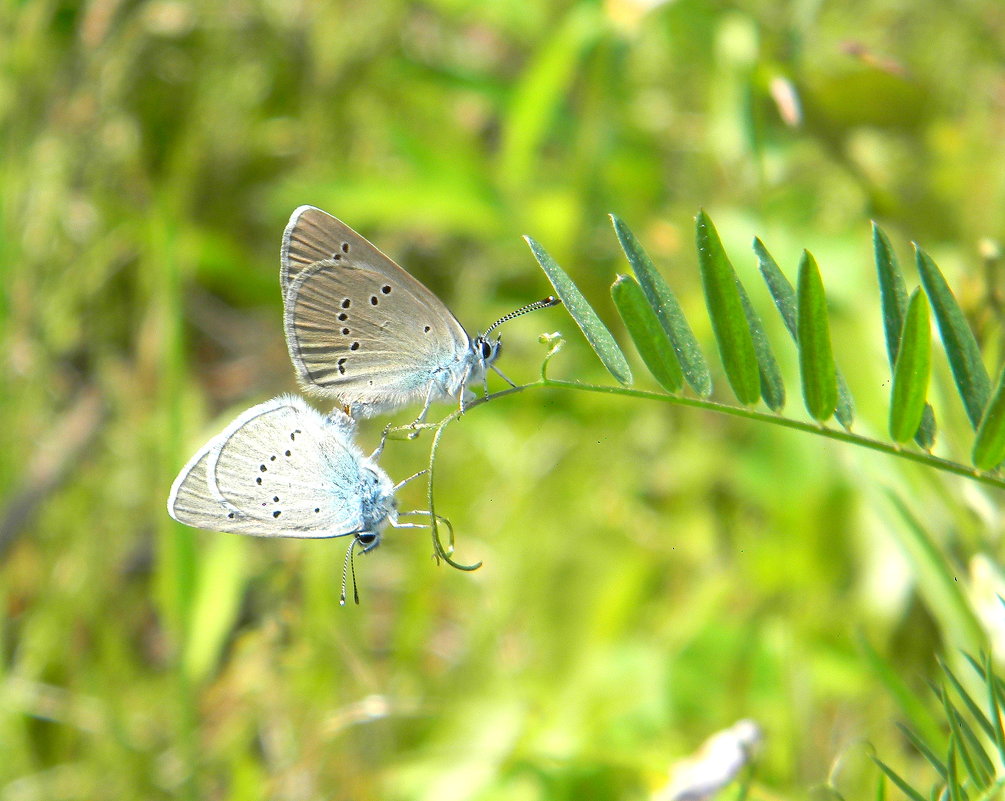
[669, 312]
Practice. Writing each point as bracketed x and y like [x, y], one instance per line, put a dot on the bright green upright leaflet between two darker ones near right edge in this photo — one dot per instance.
[911, 371]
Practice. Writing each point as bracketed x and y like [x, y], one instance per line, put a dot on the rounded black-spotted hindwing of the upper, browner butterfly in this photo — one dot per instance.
[375, 338]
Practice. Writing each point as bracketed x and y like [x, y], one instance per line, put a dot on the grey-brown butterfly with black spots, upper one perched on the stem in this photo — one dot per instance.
[363, 332]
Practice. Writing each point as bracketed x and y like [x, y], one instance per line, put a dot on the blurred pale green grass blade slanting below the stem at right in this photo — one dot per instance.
[936, 581]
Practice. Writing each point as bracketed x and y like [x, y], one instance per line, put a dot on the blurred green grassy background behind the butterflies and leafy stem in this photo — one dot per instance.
[652, 573]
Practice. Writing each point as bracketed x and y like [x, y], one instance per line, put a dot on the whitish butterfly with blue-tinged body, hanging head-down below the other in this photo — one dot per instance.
[284, 470]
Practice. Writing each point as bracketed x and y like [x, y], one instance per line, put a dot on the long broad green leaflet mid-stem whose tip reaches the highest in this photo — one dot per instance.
[736, 345]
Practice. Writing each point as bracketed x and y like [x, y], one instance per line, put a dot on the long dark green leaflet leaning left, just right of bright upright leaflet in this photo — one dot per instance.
[961, 347]
